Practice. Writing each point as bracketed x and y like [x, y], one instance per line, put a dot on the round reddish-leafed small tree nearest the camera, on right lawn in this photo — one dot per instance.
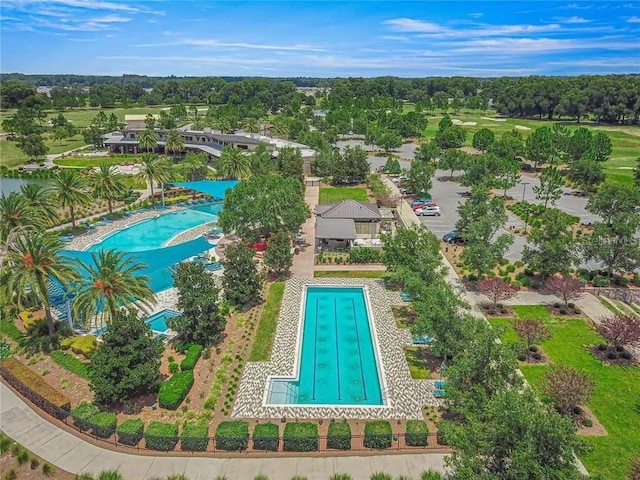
[568, 387]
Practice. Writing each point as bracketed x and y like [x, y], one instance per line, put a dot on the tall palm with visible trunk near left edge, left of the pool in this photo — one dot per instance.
[33, 262]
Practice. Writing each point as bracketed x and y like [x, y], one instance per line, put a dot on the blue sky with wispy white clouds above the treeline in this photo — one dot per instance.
[320, 39]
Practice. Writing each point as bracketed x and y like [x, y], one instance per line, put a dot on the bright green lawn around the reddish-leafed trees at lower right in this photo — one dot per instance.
[616, 399]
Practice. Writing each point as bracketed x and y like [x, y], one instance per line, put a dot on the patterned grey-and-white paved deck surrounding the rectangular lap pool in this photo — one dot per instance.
[405, 396]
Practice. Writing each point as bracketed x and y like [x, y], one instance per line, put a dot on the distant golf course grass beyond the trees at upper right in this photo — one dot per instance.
[625, 139]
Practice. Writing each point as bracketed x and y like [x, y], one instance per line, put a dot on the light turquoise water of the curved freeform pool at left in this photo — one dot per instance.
[156, 232]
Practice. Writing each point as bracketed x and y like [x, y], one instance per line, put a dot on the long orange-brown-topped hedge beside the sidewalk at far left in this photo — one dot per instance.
[28, 382]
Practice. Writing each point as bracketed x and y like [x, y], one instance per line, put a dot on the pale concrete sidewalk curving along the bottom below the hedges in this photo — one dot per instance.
[70, 453]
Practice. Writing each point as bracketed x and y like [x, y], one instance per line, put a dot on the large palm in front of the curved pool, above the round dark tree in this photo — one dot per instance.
[110, 281]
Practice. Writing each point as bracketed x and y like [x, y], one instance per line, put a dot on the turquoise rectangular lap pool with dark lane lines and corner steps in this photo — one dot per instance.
[337, 363]
